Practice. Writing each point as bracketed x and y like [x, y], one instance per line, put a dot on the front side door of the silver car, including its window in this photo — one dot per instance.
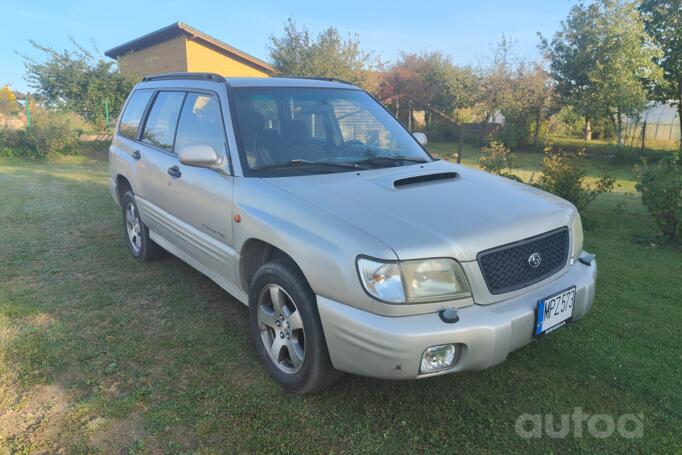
[200, 198]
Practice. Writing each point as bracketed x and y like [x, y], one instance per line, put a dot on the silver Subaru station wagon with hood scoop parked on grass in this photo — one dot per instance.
[354, 249]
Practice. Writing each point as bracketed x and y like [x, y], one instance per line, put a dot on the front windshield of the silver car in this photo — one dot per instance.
[291, 131]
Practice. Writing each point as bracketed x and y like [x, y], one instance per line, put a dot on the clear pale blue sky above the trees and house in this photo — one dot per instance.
[464, 30]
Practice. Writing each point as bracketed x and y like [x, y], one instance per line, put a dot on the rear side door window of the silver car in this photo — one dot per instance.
[159, 130]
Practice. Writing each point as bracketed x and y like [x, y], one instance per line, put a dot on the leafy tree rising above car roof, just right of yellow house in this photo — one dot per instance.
[297, 53]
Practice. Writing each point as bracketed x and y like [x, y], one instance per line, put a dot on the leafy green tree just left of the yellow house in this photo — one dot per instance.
[77, 81]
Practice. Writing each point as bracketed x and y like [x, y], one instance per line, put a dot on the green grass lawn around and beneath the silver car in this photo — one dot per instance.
[101, 353]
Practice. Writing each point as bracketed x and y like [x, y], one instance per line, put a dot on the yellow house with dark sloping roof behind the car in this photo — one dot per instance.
[179, 47]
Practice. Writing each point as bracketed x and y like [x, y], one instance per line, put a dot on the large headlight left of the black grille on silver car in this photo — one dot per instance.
[424, 280]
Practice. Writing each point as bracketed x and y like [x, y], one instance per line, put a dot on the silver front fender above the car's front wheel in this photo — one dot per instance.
[324, 246]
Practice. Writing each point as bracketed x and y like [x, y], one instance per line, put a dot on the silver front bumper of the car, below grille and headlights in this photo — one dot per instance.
[368, 344]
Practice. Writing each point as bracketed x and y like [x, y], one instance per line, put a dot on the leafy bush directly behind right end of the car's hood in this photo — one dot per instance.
[563, 174]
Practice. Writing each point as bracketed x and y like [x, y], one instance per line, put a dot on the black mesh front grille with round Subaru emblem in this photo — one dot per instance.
[507, 268]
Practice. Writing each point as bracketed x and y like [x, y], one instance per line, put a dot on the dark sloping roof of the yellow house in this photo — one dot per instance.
[178, 29]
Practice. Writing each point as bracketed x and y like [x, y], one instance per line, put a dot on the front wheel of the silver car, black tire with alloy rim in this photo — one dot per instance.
[286, 328]
